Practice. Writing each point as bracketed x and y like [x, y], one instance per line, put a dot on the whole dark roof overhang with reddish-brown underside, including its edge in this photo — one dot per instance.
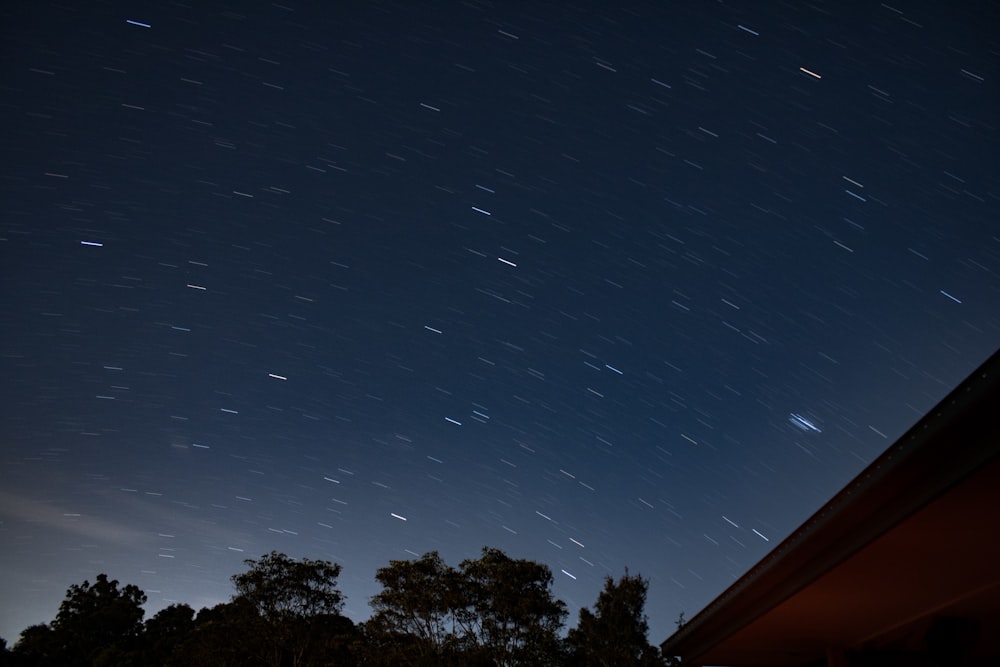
[913, 538]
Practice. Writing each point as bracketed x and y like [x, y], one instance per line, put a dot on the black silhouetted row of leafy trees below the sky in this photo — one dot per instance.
[490, 611]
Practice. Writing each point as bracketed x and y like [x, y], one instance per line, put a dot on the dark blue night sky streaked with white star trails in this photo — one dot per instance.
[601, 284]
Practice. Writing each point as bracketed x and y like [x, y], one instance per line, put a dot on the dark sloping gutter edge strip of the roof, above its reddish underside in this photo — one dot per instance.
[907, 476]
